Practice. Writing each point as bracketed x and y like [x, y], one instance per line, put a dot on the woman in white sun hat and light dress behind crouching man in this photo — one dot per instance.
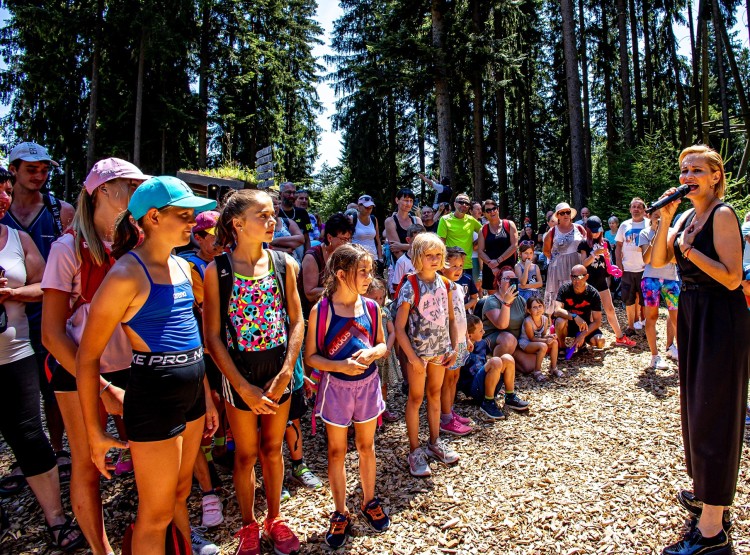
[561, 249]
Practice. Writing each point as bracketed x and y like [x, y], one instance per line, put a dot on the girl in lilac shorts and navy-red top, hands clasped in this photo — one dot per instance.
[349, 343]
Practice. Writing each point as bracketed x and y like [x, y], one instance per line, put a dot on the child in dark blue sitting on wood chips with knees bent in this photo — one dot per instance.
[480, 376]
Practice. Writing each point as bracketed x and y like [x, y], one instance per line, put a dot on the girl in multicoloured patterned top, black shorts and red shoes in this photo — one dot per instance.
[254, 329]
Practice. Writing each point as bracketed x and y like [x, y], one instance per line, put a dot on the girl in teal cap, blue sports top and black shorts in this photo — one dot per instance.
[148, 294]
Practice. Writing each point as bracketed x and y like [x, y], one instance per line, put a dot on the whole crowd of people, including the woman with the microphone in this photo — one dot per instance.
[206, 333]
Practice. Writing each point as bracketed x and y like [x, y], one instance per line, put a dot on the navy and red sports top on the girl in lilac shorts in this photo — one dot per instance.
[346, 335]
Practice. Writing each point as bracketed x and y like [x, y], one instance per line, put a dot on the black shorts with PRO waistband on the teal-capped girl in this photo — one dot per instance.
[164, 393]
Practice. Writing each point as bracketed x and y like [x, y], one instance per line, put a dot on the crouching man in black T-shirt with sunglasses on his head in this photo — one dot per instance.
[578, 310]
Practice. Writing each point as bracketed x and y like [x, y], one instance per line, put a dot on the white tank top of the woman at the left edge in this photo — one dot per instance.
[14, 342]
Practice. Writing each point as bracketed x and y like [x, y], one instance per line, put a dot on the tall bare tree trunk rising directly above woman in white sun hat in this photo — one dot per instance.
[575, 117]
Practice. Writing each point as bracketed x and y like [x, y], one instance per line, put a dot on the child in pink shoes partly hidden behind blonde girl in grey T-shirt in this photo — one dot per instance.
[450, 422]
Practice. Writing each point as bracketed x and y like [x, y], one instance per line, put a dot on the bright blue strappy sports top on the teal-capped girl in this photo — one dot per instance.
[166, 322]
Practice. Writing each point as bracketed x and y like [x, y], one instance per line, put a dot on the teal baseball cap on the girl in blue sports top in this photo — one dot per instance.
[165, 190]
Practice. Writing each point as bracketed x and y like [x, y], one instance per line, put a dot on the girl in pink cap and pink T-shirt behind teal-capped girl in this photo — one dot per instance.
[77, 264]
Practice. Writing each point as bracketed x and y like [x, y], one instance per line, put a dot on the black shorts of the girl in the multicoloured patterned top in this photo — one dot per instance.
[258, 368]
